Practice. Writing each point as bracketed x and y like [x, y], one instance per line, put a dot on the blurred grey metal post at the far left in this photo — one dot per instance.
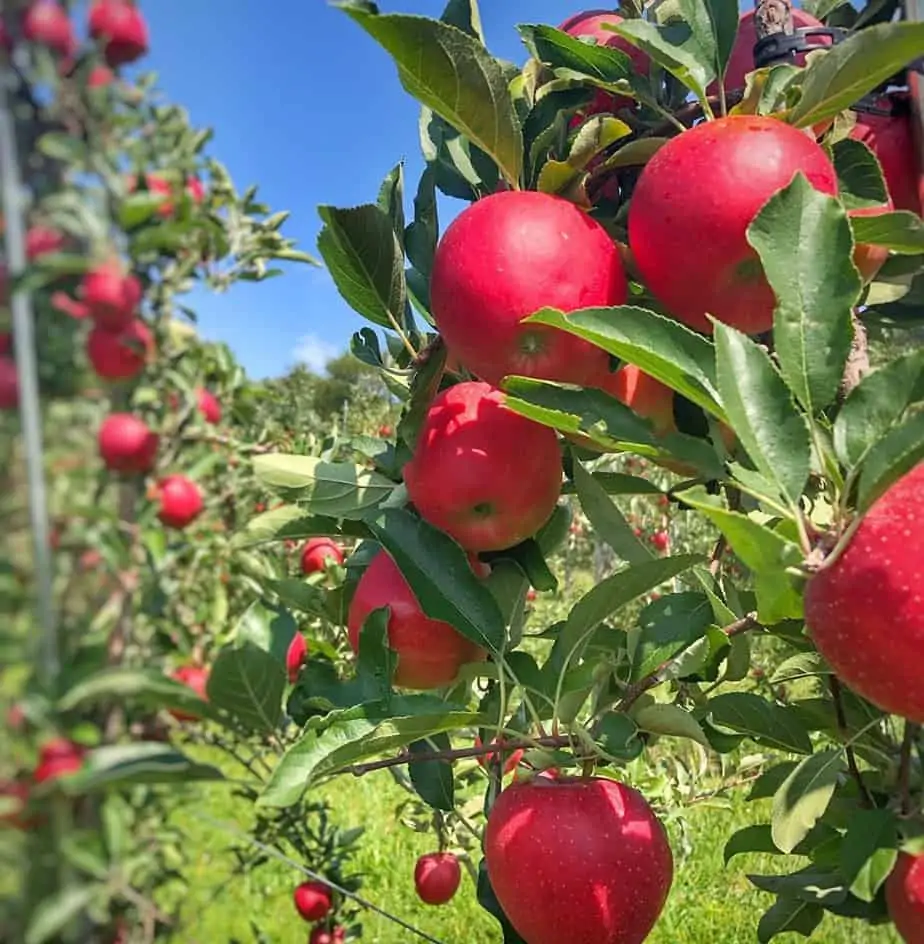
[29, 408]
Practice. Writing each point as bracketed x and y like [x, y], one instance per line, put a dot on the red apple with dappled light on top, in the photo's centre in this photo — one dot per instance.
[487, 476]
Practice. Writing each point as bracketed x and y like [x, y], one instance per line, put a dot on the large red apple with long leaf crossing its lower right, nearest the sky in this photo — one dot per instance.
[505, 257]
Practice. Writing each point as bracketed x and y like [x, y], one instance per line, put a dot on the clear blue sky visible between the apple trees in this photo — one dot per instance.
[306, 105]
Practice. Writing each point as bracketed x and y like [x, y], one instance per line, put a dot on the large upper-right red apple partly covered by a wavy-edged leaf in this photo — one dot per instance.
[692, 206]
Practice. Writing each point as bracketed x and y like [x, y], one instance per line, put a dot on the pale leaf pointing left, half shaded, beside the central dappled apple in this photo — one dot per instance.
[330, 489]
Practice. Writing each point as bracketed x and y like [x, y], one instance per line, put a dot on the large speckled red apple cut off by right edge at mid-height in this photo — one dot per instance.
[864, 612]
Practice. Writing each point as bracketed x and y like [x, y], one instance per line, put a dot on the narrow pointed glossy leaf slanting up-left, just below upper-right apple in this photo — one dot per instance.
[762, 413]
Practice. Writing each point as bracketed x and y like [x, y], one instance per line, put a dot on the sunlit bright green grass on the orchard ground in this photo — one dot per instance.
[709, 904]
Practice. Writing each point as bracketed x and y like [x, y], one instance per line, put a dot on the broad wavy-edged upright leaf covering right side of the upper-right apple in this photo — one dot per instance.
[811, 322]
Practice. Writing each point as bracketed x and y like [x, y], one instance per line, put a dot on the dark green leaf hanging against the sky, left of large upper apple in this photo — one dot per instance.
[365, 260]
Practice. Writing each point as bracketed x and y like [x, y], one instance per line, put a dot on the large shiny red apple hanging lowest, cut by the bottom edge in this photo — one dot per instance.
[579, 860]
